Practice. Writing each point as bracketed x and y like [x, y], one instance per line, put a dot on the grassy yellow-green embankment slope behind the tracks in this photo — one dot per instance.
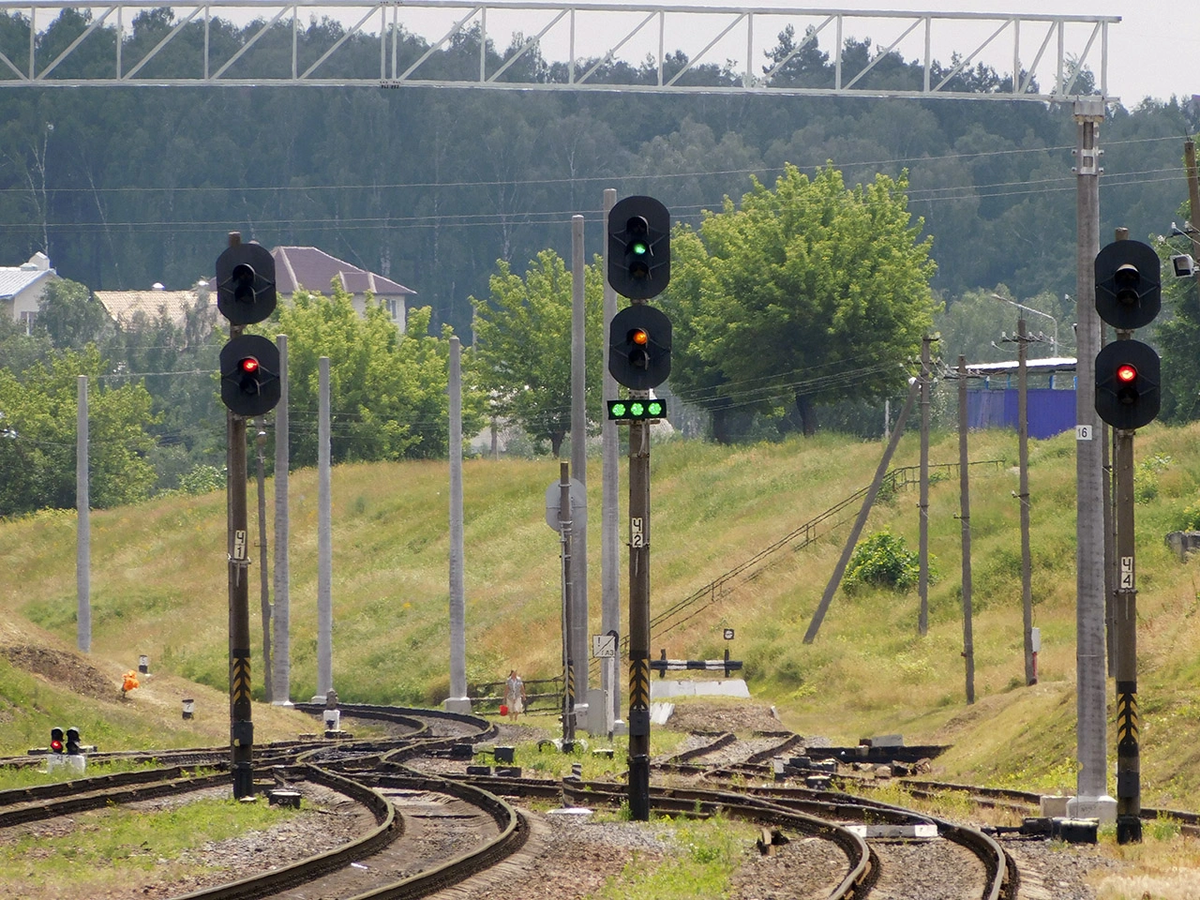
[159, 589]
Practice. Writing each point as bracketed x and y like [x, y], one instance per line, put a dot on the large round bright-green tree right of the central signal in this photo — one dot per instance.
[806, 295]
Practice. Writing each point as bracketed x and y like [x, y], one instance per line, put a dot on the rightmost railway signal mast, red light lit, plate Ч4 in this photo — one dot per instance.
[1129, 296]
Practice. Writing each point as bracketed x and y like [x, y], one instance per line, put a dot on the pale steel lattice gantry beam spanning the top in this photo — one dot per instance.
[57, 44]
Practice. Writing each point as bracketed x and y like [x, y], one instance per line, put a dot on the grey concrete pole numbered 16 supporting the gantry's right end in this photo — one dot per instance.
[1090, 647]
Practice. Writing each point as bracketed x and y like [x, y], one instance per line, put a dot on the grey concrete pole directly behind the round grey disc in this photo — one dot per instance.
[579, 463]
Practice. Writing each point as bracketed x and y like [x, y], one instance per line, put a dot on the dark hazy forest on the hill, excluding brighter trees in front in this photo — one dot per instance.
[430, 188]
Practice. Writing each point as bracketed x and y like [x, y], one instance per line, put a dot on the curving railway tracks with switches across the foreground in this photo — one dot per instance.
[425, 831]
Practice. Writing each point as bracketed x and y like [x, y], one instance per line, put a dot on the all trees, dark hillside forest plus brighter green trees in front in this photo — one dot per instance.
[467, 197]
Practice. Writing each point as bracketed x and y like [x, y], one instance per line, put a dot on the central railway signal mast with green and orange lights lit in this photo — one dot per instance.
[640, 359]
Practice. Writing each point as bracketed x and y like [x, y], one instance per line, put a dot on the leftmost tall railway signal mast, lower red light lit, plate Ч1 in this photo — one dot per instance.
[250, 387]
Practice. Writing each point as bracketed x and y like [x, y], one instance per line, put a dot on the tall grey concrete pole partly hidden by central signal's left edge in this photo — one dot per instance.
[610, 513]
